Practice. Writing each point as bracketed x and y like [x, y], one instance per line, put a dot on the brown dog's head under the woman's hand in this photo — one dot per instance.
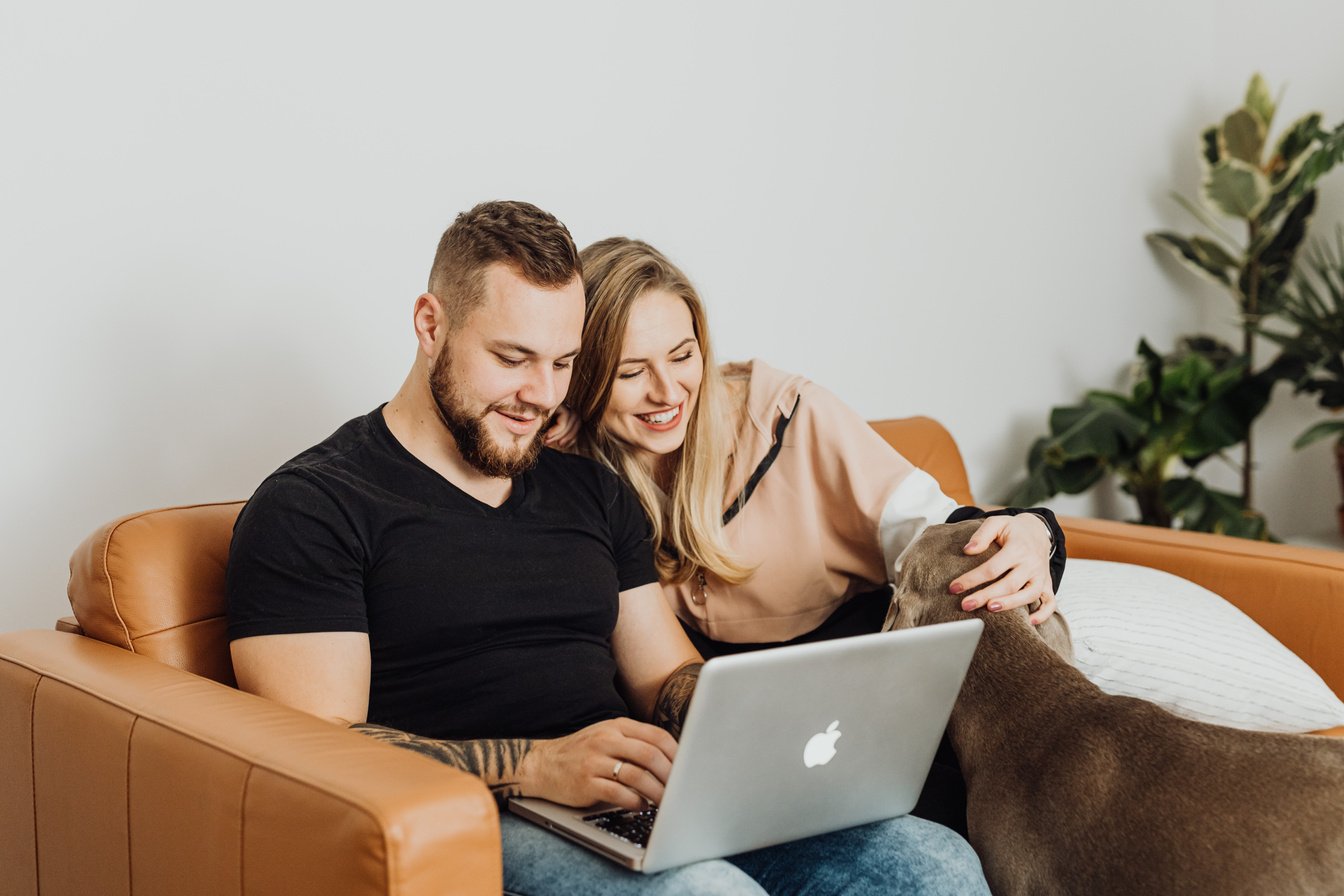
[932, 564]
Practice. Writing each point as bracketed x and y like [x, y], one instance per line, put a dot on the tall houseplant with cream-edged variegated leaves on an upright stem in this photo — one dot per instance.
[1271, 191]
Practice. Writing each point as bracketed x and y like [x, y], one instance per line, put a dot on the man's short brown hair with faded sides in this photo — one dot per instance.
[530, 241]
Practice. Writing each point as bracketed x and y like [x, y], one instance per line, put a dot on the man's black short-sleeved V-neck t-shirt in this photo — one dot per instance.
[483, 623]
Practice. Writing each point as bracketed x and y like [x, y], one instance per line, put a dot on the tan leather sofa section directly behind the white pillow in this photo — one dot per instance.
[1294, 593]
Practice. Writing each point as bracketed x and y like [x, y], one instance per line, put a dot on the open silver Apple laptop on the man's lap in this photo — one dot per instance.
[787, 744]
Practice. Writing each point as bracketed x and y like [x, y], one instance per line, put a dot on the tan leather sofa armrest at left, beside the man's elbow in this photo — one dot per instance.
[119, 768]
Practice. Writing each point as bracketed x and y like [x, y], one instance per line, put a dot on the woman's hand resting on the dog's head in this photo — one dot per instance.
[1018, 576]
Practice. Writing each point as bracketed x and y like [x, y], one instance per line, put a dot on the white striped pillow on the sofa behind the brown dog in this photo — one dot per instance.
[1146, 633]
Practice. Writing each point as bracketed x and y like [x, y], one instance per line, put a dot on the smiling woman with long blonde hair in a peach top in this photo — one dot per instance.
[779, 515]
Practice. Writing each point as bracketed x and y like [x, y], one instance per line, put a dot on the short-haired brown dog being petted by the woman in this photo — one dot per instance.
[1076, 792]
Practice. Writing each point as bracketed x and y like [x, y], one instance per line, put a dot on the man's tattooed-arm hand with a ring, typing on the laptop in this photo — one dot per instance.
[620, 761]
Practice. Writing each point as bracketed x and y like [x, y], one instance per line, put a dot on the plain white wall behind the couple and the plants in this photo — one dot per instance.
[214, 221]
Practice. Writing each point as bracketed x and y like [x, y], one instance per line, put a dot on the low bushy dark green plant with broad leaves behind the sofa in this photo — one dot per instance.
[1181, 412]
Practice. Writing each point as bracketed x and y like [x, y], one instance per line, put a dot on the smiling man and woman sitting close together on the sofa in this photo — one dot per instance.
[437, 578]
